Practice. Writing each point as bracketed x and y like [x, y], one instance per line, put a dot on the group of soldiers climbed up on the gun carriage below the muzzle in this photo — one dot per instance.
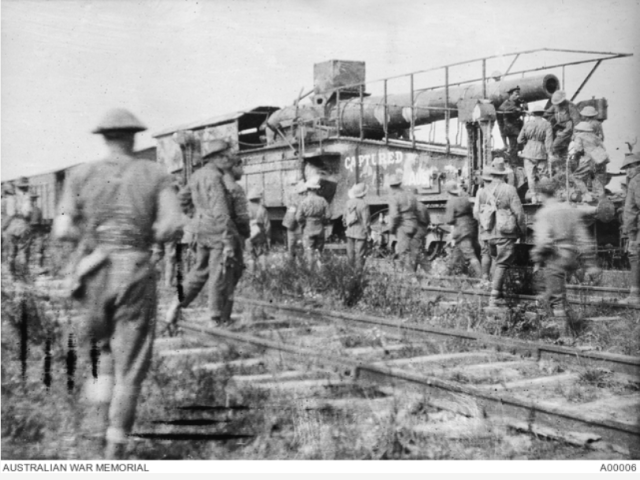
[555, 142]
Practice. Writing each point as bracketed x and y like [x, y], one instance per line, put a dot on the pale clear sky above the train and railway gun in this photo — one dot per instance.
[66, 62]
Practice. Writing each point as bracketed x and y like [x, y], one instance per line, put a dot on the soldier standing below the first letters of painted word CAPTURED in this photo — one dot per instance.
[357, 220]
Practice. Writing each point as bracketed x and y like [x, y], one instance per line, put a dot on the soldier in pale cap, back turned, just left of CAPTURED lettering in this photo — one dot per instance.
[312, 215]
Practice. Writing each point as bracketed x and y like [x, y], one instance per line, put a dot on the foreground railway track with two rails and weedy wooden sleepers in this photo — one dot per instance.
[528, 386]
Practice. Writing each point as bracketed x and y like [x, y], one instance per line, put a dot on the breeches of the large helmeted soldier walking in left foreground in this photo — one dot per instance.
[117, 337]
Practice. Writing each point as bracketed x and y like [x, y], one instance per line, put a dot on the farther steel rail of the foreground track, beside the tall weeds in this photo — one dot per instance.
[540, 351]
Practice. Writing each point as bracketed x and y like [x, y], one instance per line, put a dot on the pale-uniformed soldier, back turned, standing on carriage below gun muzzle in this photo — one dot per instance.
[537, 138]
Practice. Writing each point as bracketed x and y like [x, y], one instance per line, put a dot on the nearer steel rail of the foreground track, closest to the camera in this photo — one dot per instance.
[452, 395]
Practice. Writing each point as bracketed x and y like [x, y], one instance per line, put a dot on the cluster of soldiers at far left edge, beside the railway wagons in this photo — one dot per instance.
[23, 228]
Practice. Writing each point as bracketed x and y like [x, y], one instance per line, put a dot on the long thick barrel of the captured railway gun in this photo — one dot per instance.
[431, 105]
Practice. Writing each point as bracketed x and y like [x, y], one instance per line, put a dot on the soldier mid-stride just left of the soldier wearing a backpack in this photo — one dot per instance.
[459, 213]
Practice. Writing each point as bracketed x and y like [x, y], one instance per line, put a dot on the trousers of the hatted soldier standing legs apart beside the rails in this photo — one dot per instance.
[224, 278]
